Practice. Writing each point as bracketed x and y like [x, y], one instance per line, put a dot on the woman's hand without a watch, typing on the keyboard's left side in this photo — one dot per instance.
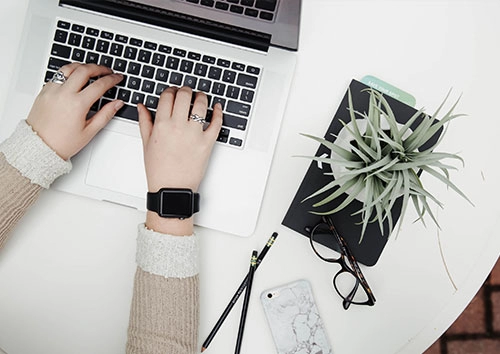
[59, 113]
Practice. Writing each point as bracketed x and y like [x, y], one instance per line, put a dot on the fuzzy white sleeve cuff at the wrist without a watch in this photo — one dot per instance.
[35, 160]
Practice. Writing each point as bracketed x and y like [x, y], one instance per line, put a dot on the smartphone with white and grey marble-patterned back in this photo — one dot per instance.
[294, 319]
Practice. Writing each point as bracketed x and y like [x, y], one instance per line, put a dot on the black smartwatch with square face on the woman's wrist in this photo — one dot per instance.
[178, 203]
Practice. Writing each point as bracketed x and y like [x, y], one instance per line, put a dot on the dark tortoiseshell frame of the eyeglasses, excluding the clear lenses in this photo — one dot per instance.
[355, 270]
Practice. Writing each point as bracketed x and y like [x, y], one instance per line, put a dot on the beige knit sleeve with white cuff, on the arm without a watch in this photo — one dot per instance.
[27, 166]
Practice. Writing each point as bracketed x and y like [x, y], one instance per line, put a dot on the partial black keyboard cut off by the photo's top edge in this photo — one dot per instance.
[259, 9]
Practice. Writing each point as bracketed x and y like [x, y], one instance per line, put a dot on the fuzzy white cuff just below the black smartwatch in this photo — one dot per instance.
[167, 255]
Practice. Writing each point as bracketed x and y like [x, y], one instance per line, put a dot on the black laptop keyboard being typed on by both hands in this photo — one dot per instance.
[150, 67]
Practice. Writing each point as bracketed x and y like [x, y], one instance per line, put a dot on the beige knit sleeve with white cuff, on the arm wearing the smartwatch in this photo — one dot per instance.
[164, 315]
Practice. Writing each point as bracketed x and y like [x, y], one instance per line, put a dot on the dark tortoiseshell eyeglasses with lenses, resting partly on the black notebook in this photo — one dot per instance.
[349, 282]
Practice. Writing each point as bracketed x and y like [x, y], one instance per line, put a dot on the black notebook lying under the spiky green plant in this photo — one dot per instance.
[299, 215]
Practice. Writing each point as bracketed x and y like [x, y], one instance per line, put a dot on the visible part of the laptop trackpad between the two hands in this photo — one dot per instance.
[117, 164]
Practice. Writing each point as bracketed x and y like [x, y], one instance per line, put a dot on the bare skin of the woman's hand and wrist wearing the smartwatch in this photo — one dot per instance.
[177, 149]
